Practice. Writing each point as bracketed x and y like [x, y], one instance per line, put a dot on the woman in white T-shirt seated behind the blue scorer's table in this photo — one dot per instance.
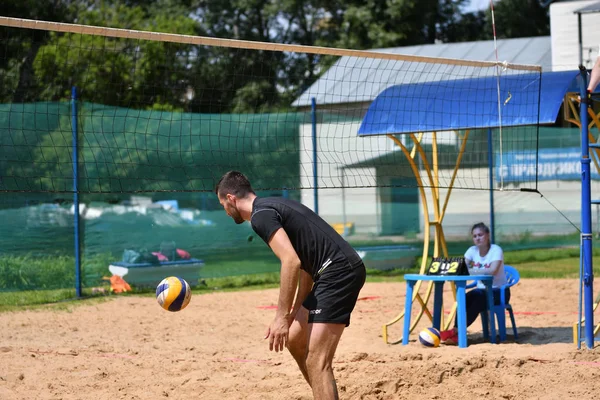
[482, 259]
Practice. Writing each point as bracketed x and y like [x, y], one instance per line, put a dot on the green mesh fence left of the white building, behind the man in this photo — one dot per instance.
[123, 151]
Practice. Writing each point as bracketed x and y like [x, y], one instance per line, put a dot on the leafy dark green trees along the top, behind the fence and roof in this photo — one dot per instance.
[39, 66]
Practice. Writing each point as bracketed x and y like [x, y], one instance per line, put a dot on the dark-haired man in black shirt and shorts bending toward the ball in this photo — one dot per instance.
[317, 261]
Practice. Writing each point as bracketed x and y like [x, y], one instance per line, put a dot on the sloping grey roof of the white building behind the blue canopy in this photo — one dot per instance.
[356, 80]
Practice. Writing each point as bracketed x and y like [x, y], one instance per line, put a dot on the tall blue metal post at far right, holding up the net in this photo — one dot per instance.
[586, 213]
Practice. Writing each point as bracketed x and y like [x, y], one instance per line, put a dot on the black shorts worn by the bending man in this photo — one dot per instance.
[334, 294]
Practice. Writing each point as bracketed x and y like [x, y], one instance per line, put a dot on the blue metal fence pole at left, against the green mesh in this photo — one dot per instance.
[76, 190]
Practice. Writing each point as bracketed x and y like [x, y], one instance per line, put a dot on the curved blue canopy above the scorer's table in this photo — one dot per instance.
[469, 103]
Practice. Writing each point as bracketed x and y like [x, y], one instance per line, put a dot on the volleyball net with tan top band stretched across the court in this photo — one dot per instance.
[163, 112]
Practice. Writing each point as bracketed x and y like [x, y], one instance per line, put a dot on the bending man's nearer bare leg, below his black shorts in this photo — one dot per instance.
[322, 343]
